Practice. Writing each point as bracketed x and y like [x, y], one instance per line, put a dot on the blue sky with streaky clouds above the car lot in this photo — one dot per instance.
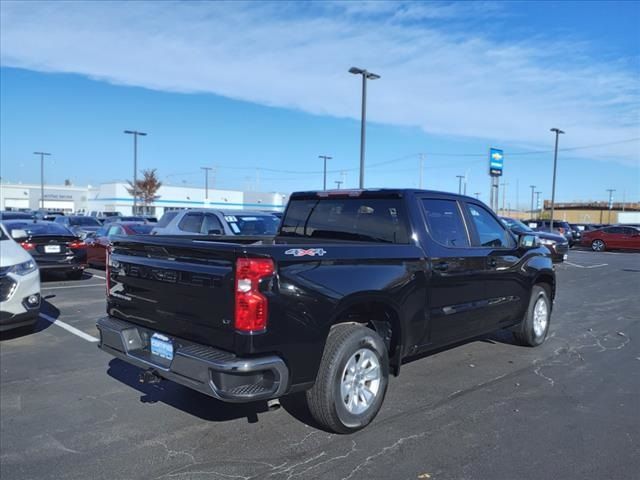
[259, 90]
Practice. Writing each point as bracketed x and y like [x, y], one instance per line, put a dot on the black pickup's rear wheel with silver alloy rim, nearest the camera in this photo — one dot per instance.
[338, 400]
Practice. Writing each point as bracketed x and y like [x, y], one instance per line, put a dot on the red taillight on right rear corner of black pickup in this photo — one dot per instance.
[251, 306]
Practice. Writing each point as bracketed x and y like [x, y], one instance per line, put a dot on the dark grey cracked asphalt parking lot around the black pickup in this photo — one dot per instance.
[486, 410]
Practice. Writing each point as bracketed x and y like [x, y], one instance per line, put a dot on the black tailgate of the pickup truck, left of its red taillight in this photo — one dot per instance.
[182, 287]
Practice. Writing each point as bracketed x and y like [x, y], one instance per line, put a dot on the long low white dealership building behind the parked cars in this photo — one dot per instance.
[110, 197]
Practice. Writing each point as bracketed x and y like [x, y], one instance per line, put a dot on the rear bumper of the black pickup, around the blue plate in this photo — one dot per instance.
[214, 372]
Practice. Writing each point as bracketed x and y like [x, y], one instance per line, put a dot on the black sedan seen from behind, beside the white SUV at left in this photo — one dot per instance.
[53, 246]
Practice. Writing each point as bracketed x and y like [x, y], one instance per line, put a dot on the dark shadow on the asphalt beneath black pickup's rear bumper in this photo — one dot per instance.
[183, 398]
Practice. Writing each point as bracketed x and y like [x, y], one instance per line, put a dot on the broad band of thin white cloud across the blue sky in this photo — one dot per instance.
[445, 80]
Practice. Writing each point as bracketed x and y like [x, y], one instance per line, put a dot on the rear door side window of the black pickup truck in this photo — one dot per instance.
[444, 222]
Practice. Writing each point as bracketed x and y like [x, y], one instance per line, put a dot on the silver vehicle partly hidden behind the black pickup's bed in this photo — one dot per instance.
[219, 222]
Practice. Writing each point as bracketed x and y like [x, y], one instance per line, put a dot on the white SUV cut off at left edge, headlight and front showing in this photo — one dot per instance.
[19, 285]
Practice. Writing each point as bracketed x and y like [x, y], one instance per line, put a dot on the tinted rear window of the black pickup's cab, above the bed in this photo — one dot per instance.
[357, 219]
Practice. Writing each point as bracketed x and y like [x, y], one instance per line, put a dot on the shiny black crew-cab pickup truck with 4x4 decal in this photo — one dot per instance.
[354, 284]
